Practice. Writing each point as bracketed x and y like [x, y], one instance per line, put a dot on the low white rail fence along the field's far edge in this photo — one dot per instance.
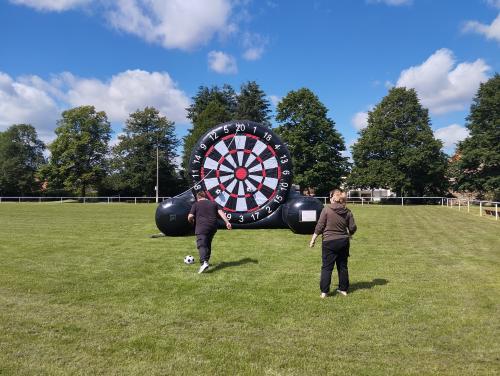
[488, 208]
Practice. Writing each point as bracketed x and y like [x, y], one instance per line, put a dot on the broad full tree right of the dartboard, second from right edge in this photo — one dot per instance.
[397, 150]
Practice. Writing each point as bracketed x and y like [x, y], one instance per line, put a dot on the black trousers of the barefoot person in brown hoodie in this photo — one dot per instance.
[334, 251]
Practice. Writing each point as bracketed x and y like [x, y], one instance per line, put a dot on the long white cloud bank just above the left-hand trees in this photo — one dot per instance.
[39, 102]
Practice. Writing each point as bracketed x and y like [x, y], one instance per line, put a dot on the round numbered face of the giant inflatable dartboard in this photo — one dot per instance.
[244, 167]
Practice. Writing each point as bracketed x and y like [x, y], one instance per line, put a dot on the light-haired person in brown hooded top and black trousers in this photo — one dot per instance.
[336, 224]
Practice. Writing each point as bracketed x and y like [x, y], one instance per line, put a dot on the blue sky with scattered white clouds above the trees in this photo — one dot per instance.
[124, 55]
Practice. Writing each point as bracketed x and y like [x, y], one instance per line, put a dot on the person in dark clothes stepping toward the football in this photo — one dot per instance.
[204, 215]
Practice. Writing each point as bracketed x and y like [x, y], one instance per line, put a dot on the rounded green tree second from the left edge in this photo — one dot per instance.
[78, 154]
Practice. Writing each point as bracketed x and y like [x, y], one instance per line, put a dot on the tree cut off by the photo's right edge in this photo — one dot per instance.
[478, 159]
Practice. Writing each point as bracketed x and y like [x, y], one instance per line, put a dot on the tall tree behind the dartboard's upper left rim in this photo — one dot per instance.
[210, 107]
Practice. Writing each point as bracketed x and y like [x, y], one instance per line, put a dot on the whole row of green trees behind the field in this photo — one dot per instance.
[397, 150]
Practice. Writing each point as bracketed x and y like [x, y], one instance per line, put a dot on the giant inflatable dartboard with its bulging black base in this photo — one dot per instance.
[245, 168]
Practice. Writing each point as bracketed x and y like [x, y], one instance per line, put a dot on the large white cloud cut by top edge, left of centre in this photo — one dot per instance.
[182, 24]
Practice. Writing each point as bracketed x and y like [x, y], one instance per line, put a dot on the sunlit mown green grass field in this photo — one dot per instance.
[85, 290]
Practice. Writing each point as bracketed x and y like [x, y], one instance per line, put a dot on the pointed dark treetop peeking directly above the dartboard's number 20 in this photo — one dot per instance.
[253, 104]
